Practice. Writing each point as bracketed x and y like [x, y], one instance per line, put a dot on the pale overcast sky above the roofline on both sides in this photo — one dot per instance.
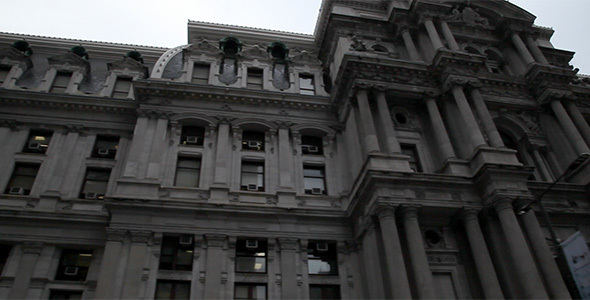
[163, 23]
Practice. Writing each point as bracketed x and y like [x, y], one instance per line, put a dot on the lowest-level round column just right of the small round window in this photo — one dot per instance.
[481, 256]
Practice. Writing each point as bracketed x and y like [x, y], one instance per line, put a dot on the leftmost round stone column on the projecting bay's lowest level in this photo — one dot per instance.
[398, 280]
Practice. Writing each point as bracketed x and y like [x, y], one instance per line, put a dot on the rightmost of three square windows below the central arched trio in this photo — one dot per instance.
[321, 257]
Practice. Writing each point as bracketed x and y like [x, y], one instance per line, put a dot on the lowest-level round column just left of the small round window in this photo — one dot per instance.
[418, 259]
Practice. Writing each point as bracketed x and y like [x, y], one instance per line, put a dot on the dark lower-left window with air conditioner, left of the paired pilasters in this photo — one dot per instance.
[73, 265]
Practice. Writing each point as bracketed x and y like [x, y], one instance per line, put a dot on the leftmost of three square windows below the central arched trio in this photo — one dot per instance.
[177, 253]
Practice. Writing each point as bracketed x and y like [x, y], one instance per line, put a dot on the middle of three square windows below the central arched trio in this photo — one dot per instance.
[251, 256]
